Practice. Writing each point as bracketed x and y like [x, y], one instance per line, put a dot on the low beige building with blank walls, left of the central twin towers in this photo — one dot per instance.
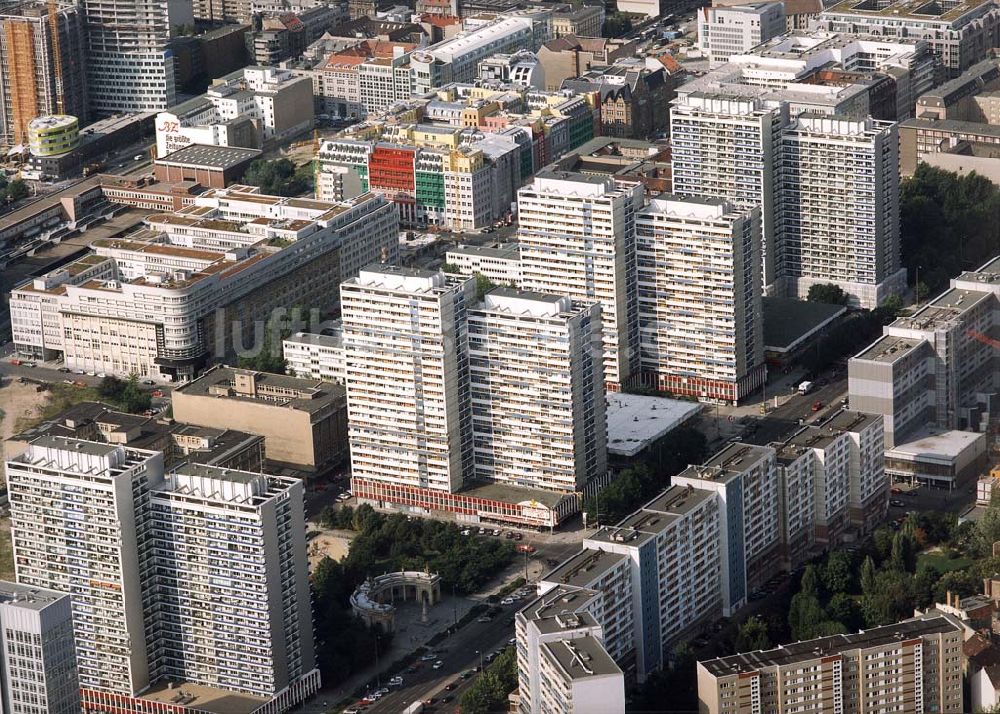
[303, 422]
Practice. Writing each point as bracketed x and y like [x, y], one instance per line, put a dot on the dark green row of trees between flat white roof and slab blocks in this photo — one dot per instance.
[641, 482]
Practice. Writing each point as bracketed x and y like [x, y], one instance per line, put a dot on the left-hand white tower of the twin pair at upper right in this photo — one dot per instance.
[728, 146]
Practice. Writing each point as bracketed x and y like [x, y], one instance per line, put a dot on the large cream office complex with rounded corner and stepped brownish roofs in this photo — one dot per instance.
[192, 285]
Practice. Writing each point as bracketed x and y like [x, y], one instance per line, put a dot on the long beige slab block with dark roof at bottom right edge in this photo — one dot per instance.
[910, 666]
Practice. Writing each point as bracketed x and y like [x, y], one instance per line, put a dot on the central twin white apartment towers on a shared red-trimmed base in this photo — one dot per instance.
[445, 392]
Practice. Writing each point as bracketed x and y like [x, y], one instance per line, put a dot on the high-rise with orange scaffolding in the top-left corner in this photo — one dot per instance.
[42, 65]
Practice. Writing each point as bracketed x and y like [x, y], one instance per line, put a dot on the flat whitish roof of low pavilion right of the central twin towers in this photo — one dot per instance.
[635, 421]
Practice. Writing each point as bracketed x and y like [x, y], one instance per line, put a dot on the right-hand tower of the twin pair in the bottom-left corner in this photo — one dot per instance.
[233, 606]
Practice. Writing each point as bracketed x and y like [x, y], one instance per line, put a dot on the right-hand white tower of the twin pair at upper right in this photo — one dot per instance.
[840, 191]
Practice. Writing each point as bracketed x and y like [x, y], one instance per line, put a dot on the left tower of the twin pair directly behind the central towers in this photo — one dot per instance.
[577, 236]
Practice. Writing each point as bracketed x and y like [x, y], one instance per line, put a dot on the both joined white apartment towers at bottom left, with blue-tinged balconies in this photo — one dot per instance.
[197, 575]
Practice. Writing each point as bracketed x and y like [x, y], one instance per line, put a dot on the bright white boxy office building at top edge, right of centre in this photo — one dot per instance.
[727, 31]
